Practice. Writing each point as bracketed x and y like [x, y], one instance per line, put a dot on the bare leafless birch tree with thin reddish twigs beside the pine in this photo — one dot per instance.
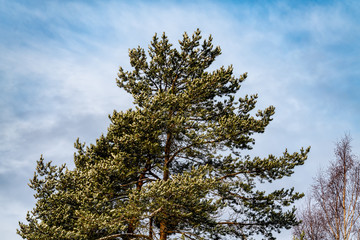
[335, 210]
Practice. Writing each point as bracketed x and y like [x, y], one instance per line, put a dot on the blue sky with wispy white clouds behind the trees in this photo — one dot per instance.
[59, 60]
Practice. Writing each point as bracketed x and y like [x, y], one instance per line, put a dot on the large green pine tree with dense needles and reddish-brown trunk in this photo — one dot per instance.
[171, 167]
